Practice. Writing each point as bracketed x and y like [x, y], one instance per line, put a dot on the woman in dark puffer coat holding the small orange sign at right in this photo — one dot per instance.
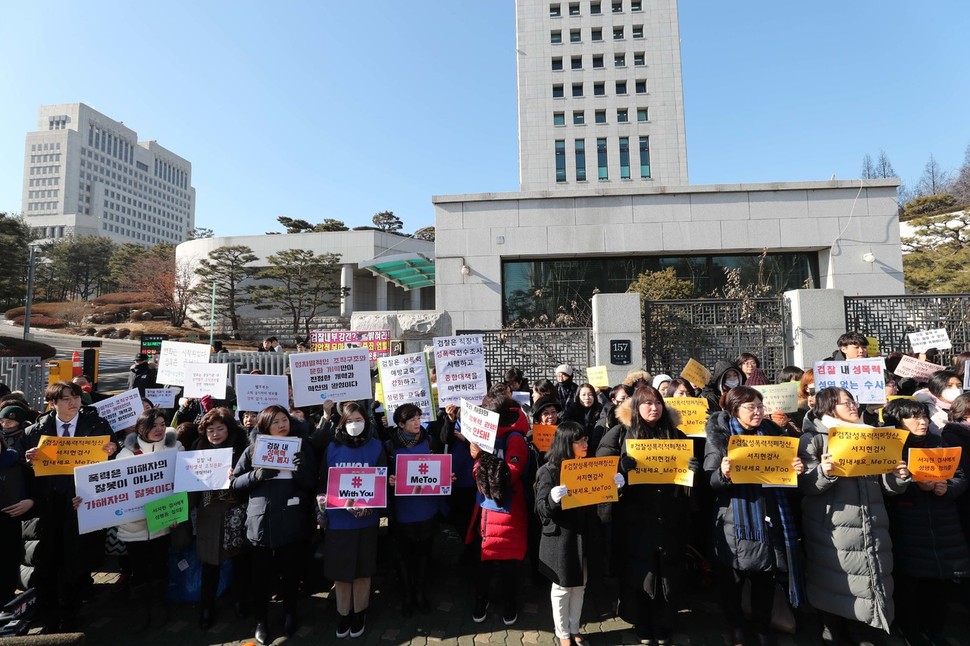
[929, 547]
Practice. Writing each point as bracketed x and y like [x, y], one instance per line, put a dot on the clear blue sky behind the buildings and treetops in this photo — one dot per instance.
[317, 109]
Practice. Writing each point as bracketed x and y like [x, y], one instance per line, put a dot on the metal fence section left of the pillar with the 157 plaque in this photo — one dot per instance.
[537, 352]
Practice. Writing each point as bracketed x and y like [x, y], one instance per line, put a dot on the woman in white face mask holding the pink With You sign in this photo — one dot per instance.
[350, 543]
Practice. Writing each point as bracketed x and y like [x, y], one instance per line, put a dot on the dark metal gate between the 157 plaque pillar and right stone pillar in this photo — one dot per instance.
[708, 330]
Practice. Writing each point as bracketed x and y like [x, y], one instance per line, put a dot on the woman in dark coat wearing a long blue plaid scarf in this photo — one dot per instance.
[755, 535]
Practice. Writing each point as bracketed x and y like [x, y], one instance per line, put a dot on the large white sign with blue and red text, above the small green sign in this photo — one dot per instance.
[115, 492]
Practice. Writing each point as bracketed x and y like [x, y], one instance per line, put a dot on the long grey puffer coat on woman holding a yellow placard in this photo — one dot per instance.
[848, 547]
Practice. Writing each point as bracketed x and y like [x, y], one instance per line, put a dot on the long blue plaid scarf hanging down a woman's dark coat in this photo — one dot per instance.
[748, 504]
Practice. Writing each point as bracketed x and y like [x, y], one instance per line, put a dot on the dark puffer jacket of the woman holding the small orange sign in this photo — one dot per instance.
[928, 540]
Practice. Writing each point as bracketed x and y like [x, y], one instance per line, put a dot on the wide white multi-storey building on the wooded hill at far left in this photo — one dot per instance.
[86, 174]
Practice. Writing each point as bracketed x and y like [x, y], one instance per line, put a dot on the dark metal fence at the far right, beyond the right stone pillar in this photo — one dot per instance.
[890, 318]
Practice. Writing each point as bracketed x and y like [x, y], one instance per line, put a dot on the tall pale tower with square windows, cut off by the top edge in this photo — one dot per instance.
[601, 100]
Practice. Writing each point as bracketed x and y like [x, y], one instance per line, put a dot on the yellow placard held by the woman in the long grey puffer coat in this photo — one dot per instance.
[865, 451]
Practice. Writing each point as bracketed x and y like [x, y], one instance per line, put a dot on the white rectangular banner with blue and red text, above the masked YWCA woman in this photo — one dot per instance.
[339, 375]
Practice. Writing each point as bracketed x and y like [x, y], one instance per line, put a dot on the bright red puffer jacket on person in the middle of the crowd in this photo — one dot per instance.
[504, 535]
